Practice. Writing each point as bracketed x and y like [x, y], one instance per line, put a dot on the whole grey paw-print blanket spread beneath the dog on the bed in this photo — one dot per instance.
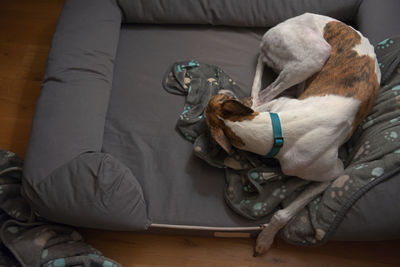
[255, 187]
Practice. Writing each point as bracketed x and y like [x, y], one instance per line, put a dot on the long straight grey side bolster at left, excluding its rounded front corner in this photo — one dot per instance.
[70, 114]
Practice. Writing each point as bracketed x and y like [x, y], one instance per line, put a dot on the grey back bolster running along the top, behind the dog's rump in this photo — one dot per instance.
[249, 13]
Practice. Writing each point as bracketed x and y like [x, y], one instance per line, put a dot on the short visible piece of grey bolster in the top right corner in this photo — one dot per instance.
[378, 20]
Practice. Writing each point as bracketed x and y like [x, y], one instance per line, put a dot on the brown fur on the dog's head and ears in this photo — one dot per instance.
[221, 107]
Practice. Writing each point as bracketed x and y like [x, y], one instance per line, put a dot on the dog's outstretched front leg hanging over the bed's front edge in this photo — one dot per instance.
[283, 216]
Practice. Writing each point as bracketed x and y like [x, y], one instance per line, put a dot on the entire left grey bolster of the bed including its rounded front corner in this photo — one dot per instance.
[67, 177]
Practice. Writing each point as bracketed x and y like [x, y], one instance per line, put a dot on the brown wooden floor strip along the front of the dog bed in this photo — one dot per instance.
[135, 249]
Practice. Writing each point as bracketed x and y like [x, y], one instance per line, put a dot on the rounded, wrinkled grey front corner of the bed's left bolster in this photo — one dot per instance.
[93, 190]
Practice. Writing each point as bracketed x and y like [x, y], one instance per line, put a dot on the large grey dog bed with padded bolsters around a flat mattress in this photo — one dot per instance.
[104, 152]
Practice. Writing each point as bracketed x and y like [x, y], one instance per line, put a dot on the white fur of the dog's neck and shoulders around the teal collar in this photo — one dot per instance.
[313, 130]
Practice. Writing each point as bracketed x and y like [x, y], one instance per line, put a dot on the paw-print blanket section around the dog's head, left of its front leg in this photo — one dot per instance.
[255, 186]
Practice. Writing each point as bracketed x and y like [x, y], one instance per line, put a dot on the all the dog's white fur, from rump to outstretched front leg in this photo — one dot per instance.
[313, 128]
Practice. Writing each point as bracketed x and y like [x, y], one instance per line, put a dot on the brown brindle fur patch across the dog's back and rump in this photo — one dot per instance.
[345, 73]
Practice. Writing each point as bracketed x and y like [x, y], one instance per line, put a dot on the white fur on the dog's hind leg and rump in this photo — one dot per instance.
[296, 49]
